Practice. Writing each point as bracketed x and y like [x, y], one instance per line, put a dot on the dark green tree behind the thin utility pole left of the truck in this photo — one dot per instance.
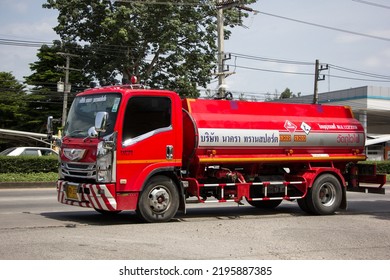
[44, 99]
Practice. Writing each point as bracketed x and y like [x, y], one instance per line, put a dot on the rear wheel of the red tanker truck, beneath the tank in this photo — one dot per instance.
[325, 195]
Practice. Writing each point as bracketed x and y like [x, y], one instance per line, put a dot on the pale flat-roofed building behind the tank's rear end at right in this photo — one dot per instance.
[371, 106]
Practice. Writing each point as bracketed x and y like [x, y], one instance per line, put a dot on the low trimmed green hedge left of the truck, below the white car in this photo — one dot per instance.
[28, 164]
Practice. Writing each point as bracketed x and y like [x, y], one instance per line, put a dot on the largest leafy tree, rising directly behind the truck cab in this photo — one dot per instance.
[166, 44]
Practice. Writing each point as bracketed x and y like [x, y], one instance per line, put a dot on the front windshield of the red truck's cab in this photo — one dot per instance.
[82, 113]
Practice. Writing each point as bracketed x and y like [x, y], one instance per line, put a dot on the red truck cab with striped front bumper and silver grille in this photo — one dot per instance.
[141, 137]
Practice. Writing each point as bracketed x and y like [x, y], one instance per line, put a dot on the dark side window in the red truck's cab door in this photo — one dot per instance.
[146, 114]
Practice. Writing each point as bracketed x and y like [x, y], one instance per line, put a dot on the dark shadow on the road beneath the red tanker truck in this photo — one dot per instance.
[377, 209]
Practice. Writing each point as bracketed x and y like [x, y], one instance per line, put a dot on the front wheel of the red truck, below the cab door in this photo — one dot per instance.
[159, 201]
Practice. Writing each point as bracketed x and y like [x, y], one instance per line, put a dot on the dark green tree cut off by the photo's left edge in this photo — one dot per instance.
[13, 113]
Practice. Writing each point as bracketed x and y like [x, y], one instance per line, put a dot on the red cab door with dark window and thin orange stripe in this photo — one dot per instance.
[149, 140]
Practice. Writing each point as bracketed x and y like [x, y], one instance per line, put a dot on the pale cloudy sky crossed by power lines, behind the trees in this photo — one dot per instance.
[275, 48]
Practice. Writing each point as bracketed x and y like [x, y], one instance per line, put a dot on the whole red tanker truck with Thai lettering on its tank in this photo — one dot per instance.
[149, 151]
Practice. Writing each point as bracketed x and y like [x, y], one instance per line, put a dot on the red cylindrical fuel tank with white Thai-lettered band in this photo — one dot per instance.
[228, 131]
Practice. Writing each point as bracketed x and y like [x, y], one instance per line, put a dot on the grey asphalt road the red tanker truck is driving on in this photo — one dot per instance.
[34, 226]
